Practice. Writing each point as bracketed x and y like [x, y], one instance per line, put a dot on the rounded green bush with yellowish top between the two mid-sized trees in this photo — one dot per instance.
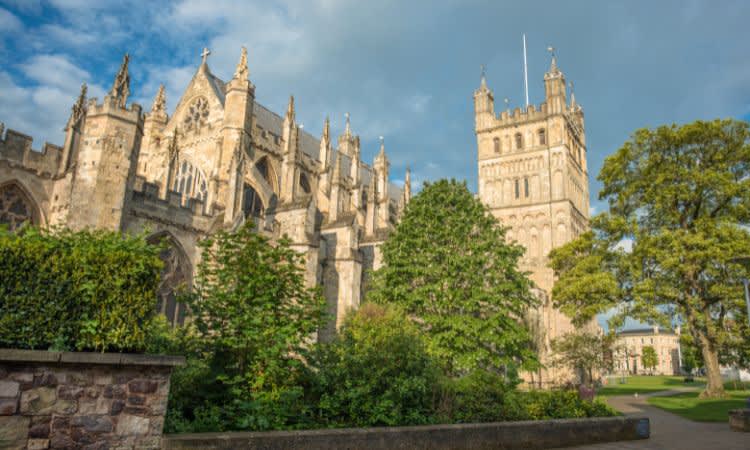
[375, 373]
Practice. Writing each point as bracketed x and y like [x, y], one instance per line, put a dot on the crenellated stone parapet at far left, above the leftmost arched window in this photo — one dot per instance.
[16, 149]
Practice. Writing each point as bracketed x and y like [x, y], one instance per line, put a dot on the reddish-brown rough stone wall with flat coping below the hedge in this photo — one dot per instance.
[82, 400]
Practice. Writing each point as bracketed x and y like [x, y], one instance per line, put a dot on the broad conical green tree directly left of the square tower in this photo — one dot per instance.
[448, 265]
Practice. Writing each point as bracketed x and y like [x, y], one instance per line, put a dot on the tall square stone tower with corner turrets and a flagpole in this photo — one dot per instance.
[533, 177]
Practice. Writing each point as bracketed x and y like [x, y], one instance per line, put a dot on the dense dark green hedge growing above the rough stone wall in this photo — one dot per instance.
[87, 290]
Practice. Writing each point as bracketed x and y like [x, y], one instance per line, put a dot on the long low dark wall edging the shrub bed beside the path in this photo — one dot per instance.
[540, 434]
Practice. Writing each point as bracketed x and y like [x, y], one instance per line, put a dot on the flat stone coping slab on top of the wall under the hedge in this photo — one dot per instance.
[42, 356]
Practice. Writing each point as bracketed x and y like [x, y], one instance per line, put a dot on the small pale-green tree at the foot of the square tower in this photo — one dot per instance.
[584, 352]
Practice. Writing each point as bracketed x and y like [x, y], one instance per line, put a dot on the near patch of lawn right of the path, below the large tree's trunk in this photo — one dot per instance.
[688, 405]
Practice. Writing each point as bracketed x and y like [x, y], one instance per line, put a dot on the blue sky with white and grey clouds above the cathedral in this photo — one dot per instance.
[405, 70]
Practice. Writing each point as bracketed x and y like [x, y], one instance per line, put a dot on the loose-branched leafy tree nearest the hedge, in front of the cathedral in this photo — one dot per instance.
[254, 319]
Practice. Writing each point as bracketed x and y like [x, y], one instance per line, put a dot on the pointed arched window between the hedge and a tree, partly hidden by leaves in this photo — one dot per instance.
[175, 276]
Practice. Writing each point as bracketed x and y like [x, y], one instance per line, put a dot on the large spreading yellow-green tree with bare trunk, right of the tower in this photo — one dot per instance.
[681, 197]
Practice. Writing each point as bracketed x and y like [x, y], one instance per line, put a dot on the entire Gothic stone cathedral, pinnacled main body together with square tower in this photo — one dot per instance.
[221, 159]
